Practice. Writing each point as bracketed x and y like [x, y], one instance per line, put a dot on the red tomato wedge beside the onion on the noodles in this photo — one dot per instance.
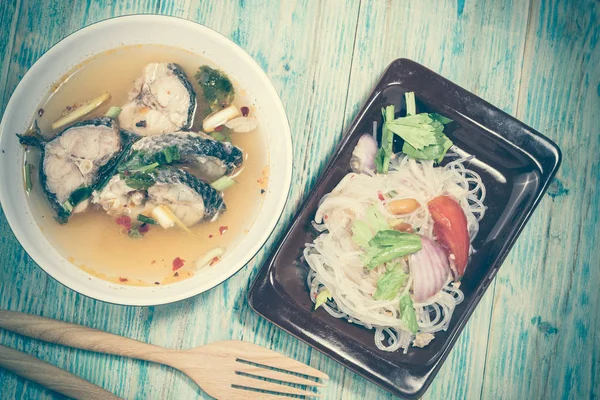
[450, 229]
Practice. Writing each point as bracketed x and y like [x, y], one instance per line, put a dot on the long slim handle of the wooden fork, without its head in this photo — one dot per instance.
[81, 337]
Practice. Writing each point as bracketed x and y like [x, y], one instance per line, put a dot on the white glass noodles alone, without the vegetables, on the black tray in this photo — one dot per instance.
[335, 259]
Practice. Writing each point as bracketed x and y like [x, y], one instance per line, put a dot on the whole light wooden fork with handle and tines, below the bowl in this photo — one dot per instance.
[225, 370]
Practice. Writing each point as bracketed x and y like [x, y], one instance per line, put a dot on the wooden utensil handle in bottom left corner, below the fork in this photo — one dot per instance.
[50, 376]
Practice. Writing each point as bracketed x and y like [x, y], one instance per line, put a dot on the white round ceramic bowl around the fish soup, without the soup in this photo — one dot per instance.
[106, 35]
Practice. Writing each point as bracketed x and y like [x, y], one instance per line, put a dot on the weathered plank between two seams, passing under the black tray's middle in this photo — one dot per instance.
[478, 45]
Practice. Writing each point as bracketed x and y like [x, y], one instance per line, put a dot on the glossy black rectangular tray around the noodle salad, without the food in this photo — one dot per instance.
[516, 164]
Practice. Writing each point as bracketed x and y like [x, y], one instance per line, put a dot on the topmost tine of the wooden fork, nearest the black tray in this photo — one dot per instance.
[260, 355]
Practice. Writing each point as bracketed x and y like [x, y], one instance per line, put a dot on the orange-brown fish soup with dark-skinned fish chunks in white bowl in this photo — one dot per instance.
[149, 163]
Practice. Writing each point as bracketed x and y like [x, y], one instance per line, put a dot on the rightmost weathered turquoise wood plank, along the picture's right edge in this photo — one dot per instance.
[543, 337]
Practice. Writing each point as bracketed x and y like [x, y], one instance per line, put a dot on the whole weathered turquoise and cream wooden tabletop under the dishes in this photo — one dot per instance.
[535, 334]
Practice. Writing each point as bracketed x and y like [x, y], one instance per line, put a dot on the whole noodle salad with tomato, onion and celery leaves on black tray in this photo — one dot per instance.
[394, 234]
